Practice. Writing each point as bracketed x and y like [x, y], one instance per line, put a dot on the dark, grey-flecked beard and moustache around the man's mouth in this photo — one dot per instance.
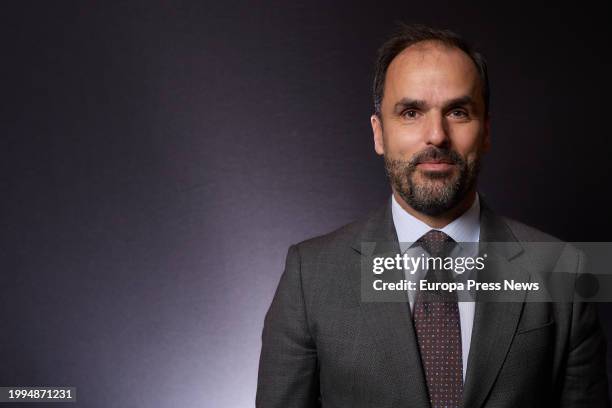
[439, 192]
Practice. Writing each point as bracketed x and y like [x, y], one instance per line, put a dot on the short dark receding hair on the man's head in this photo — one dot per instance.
[409, 34]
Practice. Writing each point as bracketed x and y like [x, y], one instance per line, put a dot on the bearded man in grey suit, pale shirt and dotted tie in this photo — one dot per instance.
[323, 345]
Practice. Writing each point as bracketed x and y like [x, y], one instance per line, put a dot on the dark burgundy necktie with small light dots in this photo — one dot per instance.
[438, 330]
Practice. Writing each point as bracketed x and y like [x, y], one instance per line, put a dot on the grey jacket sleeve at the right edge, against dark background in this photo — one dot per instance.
[585, 381]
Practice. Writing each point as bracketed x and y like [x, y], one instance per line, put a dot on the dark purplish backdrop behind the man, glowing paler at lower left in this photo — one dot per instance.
[158, 158]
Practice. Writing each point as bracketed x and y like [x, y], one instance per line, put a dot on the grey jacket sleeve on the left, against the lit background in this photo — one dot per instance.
[288, 372]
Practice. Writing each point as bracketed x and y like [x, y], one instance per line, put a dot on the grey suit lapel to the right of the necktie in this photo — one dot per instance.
[494, 322]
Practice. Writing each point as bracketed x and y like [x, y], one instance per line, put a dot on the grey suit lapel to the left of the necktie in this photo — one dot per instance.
[390, 323]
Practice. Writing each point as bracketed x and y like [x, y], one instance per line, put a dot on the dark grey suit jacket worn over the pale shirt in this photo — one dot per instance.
[323, 347]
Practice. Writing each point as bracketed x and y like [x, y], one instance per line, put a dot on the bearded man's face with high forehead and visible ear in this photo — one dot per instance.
[432, 130]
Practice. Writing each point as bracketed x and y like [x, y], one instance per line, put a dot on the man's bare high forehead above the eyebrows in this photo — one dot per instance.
[433, 72]
